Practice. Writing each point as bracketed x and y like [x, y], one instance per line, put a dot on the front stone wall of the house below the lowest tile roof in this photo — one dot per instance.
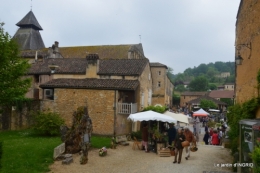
[100, 106]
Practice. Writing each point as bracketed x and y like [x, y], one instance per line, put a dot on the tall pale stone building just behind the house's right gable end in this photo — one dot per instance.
[162, 86]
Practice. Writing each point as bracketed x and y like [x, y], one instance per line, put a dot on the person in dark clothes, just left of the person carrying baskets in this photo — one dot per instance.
[178, 146]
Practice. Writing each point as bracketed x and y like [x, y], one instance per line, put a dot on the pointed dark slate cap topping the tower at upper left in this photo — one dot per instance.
[29, 21]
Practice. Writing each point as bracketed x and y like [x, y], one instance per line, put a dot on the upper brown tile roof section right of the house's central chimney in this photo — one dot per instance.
[122, 66]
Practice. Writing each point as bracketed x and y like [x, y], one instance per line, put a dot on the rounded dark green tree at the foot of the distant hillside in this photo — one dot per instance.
[199, 84]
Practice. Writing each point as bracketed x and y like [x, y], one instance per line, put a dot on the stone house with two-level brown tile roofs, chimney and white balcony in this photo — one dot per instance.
[112, 89]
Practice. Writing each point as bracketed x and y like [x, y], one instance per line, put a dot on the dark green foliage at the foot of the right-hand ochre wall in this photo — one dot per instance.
[247, 110]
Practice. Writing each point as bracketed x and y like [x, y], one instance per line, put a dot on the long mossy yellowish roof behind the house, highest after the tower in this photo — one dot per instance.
[104, 51]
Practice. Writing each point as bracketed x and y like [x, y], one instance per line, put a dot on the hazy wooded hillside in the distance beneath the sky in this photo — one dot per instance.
[211, 72]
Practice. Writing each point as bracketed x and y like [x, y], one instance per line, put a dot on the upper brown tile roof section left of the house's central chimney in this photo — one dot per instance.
[66, 66]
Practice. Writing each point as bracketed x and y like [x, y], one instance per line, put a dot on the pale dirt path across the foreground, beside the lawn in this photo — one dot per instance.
[124, 159]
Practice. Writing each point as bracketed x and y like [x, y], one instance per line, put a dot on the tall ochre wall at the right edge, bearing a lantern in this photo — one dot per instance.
[247, 31]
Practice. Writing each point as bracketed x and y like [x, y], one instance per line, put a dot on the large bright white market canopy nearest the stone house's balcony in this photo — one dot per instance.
[151, 115]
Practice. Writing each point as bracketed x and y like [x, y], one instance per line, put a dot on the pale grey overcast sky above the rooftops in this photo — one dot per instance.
[177, 33]
